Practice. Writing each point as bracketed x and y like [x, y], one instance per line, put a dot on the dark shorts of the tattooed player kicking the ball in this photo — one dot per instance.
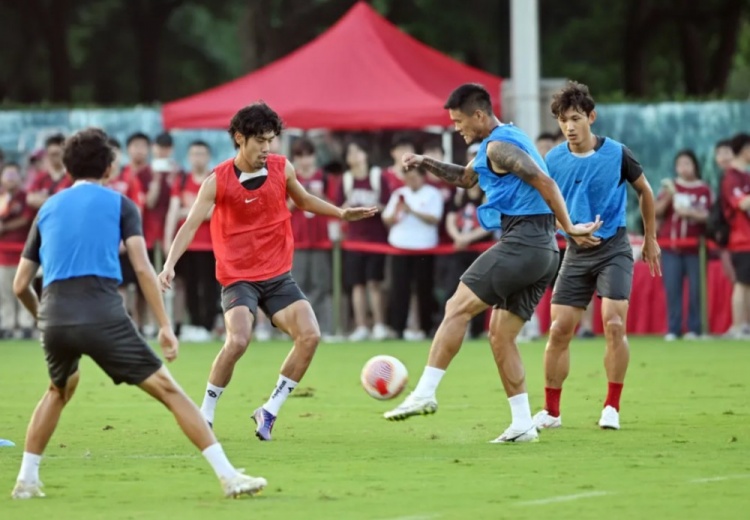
[512, 276]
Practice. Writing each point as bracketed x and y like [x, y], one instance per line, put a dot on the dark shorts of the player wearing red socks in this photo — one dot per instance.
[606, 269]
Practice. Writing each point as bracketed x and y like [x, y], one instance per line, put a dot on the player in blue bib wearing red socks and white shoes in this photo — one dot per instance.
[592, 172]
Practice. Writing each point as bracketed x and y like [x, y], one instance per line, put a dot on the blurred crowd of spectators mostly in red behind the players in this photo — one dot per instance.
[399, 268]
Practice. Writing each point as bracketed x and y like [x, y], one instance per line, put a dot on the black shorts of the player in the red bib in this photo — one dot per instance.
[270, 295]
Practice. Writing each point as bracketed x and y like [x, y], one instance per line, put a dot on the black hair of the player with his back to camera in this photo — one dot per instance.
[88, 154]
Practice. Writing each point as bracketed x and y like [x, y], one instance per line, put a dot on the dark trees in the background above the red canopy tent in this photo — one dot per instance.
[141, 51]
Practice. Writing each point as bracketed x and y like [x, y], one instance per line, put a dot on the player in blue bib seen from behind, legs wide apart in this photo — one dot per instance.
[76, 239]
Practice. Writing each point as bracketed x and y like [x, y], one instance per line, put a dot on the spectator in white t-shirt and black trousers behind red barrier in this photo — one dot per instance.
[413, 215]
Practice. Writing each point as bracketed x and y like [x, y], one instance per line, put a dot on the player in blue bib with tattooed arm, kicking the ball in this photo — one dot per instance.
[512, 275]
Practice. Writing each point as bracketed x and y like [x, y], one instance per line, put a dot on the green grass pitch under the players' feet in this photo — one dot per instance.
[683, 452]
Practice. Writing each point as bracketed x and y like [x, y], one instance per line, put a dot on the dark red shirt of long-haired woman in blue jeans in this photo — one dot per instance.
[695, 195]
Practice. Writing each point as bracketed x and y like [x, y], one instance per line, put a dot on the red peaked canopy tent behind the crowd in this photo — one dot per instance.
[362, 74]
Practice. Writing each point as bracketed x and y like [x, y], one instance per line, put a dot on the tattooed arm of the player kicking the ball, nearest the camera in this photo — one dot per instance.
[507, 157]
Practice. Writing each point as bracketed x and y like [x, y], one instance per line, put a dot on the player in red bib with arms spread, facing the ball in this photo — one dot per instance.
[253, 243]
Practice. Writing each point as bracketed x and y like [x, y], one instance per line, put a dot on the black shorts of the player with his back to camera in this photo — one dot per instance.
[115, 346]
